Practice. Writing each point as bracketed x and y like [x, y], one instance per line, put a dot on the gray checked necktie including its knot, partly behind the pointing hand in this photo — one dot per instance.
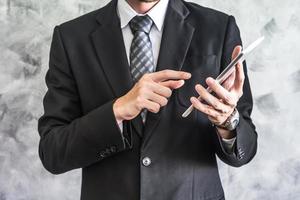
[141, 55]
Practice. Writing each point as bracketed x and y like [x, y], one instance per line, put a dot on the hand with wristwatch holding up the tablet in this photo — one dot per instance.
[219, 108]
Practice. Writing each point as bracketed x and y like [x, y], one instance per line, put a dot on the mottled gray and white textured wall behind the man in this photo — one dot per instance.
[25, 33]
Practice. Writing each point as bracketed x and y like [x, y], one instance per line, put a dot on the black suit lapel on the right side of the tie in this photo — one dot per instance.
[177, 35]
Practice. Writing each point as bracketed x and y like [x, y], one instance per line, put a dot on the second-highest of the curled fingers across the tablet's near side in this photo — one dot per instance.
[211, 100]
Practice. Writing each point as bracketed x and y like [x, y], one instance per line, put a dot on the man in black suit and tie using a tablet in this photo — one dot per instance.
[118, 82]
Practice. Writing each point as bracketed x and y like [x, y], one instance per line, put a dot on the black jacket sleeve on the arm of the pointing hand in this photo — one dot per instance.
[69, 139]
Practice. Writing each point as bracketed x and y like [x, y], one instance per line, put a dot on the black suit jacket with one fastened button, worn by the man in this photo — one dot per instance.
[89, 70]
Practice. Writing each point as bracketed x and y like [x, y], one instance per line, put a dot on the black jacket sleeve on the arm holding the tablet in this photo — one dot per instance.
[245, 146]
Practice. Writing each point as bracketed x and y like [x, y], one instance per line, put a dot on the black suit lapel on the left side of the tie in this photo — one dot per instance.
[109, 46]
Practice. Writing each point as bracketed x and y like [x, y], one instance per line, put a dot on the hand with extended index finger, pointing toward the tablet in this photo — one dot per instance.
[151, 92]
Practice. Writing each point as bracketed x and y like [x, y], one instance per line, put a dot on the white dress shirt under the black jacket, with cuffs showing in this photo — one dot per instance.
[157, 14]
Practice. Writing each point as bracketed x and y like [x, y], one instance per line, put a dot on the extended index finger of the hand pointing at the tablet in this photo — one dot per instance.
[169, 74]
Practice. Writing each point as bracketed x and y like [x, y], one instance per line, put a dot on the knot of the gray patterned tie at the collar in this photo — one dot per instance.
[141, 23]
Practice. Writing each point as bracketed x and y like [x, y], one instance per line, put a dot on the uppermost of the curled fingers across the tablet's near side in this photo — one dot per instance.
[221, 92]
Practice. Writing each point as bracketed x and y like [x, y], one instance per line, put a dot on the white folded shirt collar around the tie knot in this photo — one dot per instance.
[157, 13]
